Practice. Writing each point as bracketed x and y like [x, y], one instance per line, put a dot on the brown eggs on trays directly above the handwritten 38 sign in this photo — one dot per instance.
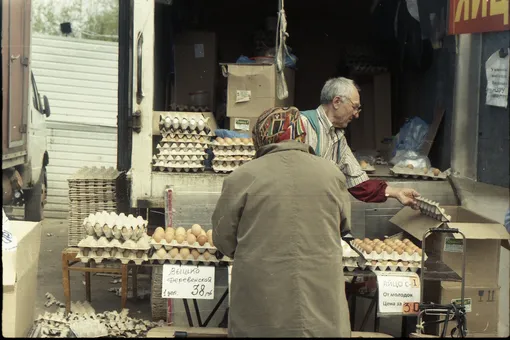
[185, 246]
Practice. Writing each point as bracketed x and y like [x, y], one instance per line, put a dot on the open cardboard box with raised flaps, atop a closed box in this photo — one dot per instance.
[484, 238]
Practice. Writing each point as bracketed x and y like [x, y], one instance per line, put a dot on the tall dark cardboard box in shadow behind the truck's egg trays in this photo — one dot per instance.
[196, 67]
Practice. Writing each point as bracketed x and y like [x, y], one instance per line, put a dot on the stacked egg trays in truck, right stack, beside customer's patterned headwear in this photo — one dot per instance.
[231, 153]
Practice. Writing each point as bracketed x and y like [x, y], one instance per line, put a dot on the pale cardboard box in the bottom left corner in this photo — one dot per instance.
[20, 279]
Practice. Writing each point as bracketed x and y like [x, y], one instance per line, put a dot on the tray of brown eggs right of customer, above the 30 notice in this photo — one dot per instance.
[390, 261]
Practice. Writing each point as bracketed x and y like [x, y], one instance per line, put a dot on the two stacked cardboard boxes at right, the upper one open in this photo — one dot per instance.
[484, 239]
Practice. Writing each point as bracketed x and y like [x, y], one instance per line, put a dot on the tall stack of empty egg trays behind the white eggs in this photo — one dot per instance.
[94, 189]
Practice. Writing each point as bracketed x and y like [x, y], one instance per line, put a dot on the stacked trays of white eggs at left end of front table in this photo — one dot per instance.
[114, 237]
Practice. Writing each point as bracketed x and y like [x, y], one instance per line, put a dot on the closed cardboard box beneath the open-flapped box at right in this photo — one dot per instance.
[482, 304]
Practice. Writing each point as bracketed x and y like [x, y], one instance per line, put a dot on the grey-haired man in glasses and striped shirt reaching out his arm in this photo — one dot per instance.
[340, 104]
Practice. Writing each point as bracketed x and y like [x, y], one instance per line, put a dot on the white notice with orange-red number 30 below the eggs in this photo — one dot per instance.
[399, 293]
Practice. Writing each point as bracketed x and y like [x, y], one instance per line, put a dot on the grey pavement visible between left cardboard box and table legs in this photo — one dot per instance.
[50, 278]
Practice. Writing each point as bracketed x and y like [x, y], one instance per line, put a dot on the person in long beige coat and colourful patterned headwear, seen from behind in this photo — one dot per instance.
[280, 217]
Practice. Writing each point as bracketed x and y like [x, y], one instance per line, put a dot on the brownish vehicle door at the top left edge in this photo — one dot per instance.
[15, 72]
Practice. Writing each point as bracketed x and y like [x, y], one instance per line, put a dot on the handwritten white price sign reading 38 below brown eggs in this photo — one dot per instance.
[187, 282]
